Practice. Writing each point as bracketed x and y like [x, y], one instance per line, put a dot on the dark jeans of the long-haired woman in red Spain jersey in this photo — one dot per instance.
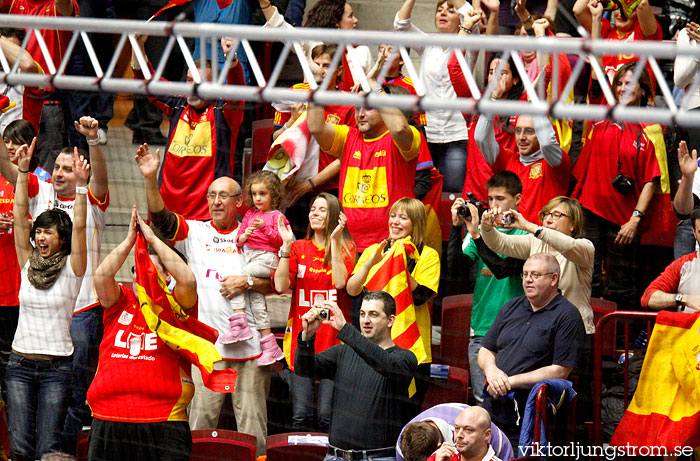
[302, 392]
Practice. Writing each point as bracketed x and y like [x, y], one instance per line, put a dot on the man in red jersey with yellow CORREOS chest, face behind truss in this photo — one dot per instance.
[201, 141]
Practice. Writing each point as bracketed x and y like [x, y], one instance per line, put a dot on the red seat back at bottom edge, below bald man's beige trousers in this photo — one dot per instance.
[222, 445]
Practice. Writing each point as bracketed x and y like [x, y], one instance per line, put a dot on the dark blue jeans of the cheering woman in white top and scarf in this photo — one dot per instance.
[37, 393]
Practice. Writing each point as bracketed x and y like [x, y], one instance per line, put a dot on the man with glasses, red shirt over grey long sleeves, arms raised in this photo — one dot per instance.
[540, 163]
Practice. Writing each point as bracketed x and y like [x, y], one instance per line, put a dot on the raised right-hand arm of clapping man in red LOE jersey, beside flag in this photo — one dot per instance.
[185, 290]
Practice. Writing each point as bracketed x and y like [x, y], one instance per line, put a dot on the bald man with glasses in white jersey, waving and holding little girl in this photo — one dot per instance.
[216, 262]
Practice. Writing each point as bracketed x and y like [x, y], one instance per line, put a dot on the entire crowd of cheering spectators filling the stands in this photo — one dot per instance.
[549, 213]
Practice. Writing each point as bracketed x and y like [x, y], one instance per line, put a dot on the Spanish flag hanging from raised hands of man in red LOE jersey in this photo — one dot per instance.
[183, 333]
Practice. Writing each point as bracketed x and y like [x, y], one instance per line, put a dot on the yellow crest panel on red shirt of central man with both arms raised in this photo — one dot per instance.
[366, 188]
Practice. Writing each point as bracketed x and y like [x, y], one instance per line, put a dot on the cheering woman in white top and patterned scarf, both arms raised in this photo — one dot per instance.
[53, 256]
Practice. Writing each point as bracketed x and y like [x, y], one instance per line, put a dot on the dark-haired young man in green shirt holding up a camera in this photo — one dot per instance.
[497, 277]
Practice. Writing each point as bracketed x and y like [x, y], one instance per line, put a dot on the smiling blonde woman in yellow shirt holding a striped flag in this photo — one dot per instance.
[407, 218]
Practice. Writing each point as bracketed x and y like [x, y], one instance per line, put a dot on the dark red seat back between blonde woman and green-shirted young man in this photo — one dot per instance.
[456, 317]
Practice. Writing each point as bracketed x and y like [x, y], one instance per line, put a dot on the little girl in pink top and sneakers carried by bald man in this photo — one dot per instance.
[260, 238]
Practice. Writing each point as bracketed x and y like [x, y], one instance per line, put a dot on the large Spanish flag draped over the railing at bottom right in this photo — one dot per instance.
[665, 409]
